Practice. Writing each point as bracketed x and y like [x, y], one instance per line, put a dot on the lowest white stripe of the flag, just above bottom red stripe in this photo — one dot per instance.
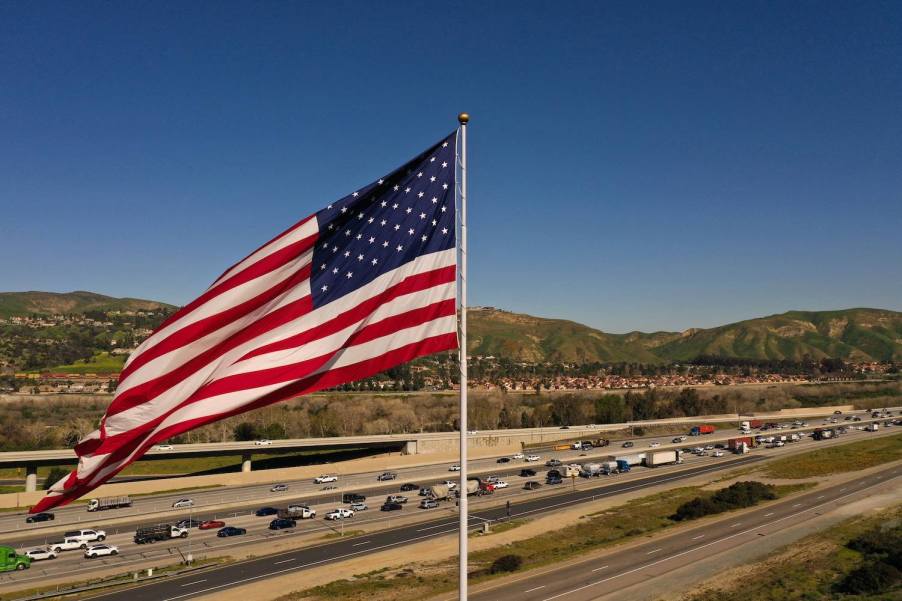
[224, 403]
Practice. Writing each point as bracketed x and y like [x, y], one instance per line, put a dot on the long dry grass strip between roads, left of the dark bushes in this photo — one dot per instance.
[640, 517]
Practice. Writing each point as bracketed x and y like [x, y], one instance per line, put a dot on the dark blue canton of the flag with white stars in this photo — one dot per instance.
[404, 215]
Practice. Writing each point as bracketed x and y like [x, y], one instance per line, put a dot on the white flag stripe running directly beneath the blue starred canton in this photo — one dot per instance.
[130, 418]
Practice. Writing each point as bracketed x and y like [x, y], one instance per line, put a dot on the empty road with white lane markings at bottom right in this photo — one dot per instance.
[613, 572]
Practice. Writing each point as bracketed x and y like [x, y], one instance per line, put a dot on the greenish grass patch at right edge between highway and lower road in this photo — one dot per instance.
[838, 459]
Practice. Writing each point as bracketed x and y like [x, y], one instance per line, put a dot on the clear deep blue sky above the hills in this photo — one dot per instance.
[633, 165]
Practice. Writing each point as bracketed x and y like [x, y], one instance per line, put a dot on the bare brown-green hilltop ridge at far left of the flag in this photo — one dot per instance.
[50, 303]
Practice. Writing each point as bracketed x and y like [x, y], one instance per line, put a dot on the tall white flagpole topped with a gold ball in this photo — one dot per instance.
[463, 119]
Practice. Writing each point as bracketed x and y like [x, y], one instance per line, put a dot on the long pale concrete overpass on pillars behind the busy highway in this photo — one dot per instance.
[409, 444]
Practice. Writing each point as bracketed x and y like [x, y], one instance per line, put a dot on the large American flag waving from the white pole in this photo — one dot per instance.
[363, 285]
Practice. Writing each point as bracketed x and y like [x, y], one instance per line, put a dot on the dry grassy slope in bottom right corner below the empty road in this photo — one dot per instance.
[803, 571]
